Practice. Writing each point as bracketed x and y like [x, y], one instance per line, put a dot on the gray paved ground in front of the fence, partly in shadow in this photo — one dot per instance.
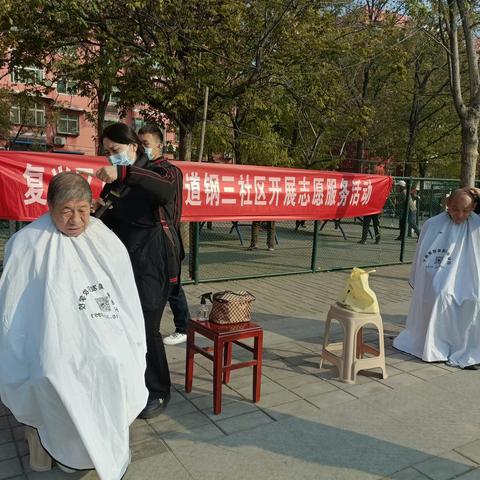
[420, 423]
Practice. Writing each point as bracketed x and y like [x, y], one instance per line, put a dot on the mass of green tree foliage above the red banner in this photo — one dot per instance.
[297, 83]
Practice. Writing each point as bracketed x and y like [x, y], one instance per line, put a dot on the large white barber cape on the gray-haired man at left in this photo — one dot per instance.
[72, 343]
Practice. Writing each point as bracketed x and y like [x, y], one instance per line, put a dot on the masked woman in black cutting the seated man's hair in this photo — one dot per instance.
[144, 213]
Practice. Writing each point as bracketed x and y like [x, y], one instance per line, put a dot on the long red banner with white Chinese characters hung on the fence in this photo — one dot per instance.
[210, 191]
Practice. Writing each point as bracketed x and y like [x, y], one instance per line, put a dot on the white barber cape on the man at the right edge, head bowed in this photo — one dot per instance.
[443, 323]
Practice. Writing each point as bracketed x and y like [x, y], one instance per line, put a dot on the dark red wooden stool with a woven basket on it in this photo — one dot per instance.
[223, 336]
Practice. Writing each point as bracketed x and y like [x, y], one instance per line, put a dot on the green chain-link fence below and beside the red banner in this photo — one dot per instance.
[220, 250]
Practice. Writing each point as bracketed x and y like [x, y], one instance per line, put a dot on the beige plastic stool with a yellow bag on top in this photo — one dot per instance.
[352, 360]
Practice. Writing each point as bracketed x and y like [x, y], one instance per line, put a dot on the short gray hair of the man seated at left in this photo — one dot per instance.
[67, 186]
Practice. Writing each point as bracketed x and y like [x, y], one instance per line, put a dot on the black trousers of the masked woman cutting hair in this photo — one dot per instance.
[157, 374]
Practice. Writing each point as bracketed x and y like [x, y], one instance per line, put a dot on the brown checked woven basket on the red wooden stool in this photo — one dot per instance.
[231, 307]
